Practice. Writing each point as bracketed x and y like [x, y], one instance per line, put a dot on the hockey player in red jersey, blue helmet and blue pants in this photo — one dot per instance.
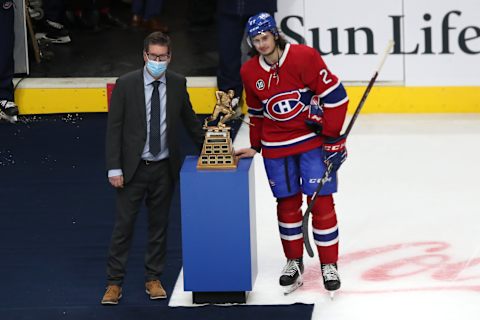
[298, 108]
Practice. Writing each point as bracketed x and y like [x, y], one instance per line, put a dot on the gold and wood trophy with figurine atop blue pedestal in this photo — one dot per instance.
[217, 151]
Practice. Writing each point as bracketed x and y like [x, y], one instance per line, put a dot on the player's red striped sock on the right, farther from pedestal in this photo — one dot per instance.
[325, 229]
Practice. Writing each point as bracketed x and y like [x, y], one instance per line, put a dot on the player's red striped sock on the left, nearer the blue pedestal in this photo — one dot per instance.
[289, 214]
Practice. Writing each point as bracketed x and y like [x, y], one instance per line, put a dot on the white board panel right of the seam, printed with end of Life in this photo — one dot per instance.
[442, 46]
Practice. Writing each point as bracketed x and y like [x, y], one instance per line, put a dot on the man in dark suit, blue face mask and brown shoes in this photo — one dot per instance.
[143, 159]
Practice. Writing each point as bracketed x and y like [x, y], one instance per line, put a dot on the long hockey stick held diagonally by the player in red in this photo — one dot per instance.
[327, 173]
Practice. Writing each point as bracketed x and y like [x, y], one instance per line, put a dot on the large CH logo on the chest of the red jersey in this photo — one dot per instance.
[284, 106]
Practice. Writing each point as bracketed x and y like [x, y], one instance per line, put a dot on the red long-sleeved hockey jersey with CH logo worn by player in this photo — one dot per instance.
[278, 101]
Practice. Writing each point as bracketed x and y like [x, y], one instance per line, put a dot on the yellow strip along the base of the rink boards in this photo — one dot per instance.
[78, 95]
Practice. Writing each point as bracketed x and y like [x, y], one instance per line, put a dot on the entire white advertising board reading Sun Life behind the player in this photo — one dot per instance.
[437, 43]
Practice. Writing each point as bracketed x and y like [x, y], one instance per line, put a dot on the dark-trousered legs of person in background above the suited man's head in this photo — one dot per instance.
[146, 14]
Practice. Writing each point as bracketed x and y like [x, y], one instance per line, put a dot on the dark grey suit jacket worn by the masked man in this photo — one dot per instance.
[127, 124]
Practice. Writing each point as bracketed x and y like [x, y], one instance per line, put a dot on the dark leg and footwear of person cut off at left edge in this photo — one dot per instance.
[8, 109]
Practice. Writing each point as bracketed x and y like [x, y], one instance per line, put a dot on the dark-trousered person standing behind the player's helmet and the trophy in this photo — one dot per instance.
[232, 16]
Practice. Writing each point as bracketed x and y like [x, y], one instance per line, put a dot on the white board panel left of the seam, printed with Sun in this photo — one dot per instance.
[351, 35]
